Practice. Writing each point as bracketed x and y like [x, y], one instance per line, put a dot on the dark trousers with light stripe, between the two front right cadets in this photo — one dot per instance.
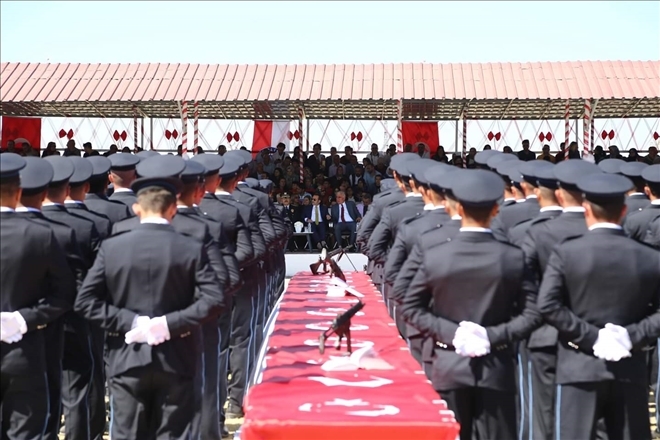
[542, 392]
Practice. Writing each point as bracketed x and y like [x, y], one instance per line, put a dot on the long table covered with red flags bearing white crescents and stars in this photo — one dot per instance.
[292, 398]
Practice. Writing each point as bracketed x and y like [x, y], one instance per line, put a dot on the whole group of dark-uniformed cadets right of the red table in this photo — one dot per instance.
[520, 293]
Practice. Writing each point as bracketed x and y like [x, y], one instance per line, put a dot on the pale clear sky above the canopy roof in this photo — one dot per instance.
[328, 32]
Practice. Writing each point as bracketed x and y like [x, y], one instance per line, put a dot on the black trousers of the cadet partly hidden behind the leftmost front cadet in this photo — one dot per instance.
[54, 340]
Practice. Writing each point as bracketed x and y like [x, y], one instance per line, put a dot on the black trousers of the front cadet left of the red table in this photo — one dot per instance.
[148, 403]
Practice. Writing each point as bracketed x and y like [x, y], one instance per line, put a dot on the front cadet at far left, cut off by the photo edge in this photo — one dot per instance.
[37, 287]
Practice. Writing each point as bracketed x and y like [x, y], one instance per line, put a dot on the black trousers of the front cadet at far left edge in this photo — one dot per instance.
[24, 403]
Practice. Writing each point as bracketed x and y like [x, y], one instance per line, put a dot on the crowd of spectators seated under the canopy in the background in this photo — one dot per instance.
[336, 190]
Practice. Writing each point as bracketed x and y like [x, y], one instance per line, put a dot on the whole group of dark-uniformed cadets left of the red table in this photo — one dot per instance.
[57, 250]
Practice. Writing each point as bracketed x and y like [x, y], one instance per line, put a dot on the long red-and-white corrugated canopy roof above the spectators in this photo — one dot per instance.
[372, 91]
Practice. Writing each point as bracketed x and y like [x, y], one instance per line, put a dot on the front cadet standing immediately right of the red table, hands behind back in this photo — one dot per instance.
[483, 302]
